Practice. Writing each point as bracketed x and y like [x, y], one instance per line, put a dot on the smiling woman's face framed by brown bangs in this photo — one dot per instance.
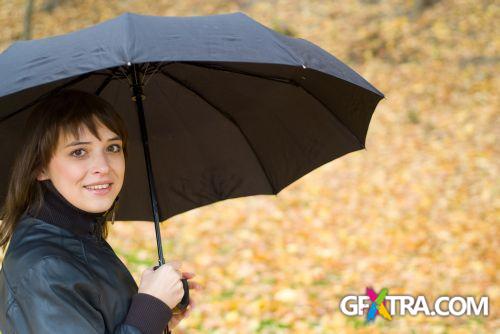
[87, 171]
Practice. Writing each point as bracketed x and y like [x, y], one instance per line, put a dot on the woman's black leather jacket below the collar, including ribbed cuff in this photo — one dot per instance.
[53, 281]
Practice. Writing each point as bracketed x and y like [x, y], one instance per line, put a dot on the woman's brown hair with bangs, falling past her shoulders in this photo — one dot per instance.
[64, 112]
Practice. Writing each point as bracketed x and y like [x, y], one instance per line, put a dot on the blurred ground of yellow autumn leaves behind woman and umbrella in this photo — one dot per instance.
[416, 212]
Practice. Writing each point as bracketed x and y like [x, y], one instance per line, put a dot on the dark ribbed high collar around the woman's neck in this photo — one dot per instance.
[58, 211]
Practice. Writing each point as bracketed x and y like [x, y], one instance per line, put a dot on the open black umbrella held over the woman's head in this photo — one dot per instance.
[224, 106]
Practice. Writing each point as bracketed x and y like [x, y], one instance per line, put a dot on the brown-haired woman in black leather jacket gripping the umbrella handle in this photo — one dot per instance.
[59, 275]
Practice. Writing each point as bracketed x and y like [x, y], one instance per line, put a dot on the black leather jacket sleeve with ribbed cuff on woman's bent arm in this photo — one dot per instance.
[56, 296]
